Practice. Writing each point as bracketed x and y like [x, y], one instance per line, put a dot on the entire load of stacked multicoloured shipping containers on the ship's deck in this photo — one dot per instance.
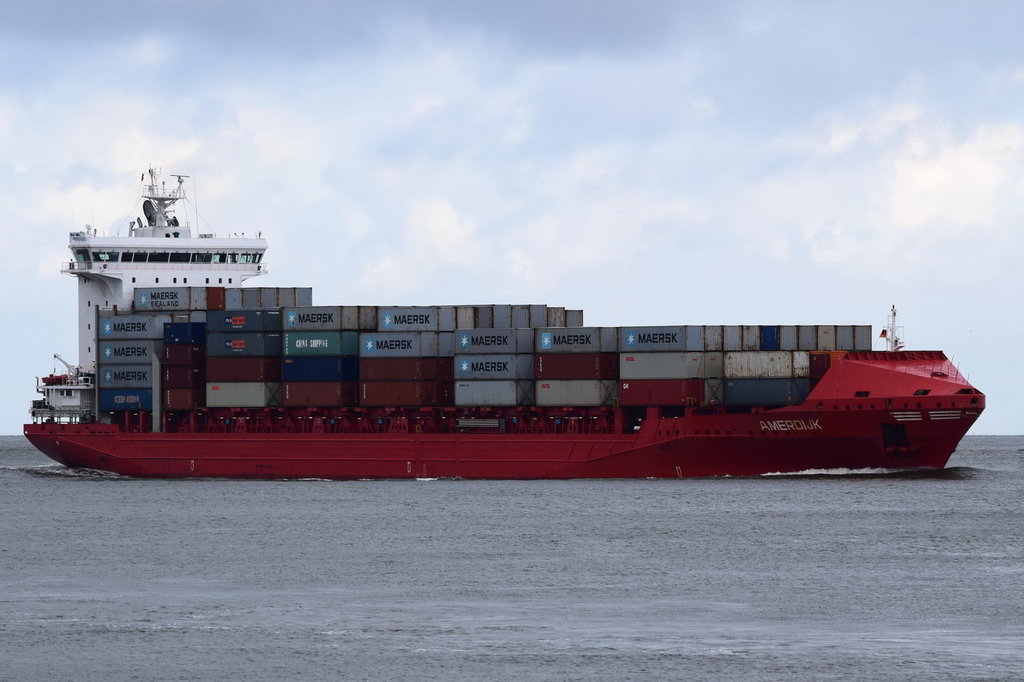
[240, 349]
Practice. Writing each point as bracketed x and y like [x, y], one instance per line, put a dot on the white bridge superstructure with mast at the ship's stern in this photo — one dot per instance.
[160, 250]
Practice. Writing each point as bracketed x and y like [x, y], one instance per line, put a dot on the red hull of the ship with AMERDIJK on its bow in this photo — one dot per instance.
[890, 428]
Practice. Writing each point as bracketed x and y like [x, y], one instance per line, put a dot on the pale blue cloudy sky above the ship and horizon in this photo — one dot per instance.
[652, 162]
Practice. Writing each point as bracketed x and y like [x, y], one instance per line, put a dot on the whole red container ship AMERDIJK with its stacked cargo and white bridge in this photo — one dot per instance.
[185, 372]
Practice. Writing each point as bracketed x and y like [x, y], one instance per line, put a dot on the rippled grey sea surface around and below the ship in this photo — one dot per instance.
[838, 577]
